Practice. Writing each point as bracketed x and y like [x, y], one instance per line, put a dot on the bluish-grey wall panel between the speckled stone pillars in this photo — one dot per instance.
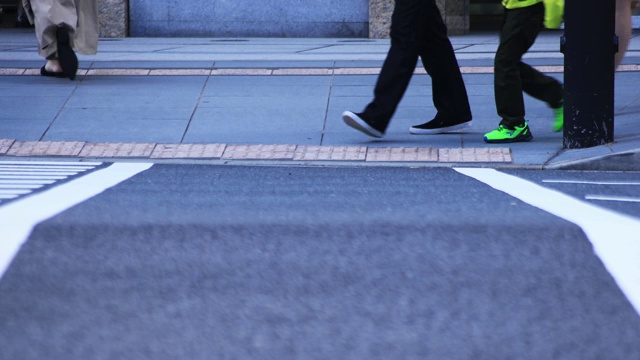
[250, 18]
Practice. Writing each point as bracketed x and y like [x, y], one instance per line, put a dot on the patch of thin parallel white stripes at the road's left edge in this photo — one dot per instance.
[21, 178]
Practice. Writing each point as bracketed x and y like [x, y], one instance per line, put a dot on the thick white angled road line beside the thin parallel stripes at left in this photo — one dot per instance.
[17, 219]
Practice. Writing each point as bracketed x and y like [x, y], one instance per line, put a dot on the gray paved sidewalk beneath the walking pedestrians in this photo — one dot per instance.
[166, 92]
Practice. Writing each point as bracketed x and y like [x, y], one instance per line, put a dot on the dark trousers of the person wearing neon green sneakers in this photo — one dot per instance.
[512, 76]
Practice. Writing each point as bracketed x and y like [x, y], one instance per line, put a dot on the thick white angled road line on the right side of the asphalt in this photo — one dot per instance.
[614, 236]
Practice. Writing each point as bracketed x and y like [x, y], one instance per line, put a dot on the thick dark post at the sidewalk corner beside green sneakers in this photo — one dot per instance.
[589, 45]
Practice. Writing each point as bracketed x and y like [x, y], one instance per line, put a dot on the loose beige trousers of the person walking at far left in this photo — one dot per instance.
[80, 17]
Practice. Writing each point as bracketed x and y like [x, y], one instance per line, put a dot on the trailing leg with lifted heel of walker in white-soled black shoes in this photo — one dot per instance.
[396, 72]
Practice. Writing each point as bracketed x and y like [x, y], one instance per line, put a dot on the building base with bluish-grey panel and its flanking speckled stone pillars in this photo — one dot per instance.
[271, 18]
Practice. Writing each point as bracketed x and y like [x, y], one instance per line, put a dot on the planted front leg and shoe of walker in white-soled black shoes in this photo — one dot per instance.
[449, 92]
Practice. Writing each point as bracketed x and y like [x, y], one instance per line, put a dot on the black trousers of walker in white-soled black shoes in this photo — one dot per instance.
[417, 29]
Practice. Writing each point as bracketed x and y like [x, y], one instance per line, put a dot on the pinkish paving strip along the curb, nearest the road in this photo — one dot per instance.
[10, 147]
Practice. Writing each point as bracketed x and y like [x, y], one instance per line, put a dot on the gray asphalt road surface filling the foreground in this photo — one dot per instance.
[235, 262]
